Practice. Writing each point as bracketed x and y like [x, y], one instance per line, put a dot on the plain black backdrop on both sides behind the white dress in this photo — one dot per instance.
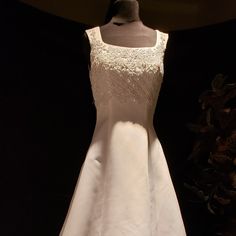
[48, 116]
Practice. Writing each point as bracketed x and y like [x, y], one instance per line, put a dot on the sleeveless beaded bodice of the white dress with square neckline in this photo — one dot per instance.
[126, 75]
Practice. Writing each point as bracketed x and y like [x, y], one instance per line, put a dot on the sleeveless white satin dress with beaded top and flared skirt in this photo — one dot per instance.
[124, 187]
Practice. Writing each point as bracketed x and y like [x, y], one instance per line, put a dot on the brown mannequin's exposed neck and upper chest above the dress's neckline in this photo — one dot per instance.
[125, 29]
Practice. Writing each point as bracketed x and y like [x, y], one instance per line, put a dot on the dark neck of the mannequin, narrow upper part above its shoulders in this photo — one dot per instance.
[125, 11]
